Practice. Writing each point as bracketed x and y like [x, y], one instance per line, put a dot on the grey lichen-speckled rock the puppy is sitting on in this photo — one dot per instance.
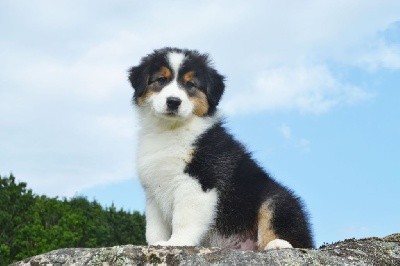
[369, 251]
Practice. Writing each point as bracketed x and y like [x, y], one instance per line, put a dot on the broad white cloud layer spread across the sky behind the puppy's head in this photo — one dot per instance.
[66, 115]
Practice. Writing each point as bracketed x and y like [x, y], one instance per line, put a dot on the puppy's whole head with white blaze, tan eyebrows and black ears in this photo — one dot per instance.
[176, 84]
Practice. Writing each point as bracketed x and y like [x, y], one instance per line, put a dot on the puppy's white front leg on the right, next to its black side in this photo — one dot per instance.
[194, 213]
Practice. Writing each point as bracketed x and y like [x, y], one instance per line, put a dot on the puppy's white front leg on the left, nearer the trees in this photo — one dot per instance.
[156, 228]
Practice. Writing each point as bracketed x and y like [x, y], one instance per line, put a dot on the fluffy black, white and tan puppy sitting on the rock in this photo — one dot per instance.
[202, 186]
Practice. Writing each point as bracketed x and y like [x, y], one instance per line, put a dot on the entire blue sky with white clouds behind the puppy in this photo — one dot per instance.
[312, 89]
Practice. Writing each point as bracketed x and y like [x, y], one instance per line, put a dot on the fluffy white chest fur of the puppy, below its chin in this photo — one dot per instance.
[162, 157]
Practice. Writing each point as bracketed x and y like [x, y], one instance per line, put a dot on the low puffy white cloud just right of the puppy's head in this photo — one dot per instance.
[311, 89]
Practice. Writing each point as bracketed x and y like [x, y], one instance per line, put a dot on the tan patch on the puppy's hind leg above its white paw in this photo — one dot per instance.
[265, 231]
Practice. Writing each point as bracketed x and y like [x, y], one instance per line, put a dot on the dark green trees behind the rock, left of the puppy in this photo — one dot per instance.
[31, 224]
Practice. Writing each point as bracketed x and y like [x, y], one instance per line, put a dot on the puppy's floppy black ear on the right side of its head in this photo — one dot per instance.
[215, 88]
